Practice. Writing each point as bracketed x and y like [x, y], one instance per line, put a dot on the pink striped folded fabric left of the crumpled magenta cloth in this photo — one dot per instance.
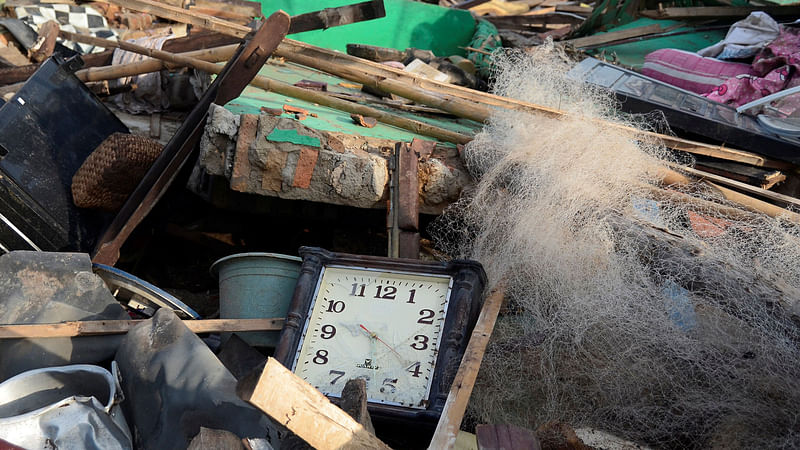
[691, 71]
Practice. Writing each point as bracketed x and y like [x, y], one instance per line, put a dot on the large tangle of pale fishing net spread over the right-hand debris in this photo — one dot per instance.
[631, 307]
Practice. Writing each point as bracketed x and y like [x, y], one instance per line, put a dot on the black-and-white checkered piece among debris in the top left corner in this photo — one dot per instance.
[76, 19]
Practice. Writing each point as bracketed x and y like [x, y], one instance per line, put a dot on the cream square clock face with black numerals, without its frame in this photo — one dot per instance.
[378, 325]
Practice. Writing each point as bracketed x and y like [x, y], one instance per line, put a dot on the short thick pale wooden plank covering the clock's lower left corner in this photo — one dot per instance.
[306, 412]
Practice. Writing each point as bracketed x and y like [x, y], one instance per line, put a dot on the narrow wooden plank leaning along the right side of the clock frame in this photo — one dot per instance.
[447, 429]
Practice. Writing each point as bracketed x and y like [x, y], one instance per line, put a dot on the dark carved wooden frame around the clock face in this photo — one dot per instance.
[466, 299]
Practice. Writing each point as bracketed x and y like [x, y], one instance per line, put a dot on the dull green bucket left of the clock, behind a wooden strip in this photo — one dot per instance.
[256, 286]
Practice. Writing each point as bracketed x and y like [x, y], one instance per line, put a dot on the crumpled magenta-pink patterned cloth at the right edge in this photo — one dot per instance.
[776, 68]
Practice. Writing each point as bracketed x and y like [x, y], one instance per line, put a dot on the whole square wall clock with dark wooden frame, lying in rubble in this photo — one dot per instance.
[400, 324]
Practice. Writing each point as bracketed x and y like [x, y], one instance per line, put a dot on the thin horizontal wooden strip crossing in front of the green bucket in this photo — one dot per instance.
[102, 327]
